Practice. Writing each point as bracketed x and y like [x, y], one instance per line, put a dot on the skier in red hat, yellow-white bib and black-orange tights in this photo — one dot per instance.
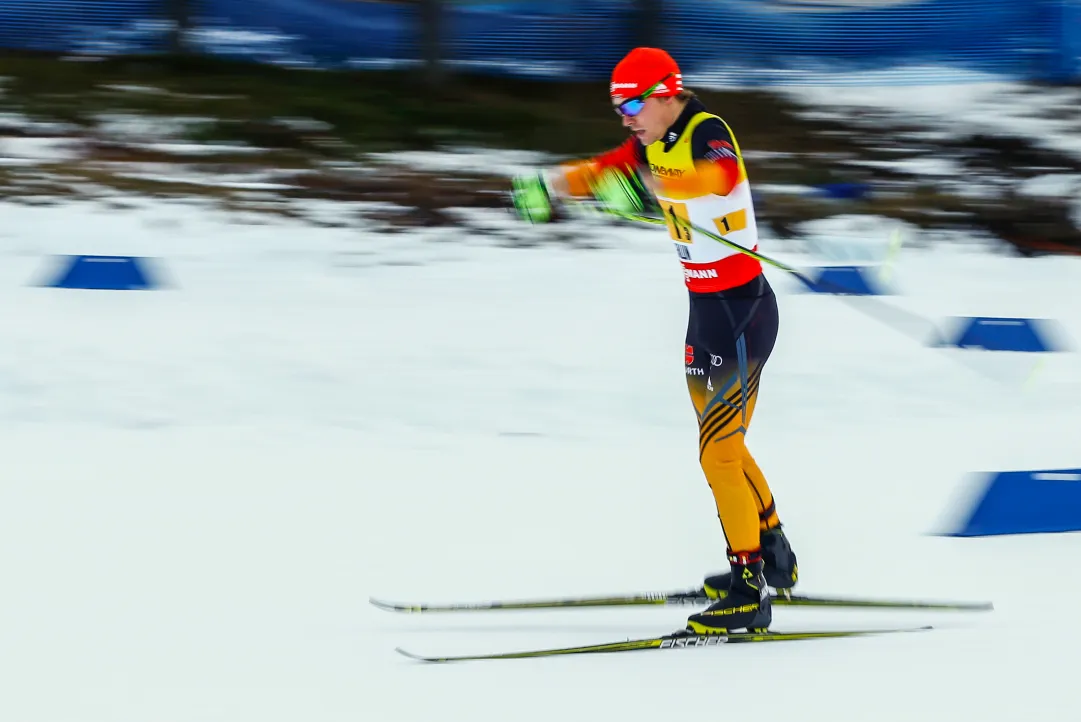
[684, 163]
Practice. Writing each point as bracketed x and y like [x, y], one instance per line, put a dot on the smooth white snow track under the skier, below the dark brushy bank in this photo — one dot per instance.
[206, 485]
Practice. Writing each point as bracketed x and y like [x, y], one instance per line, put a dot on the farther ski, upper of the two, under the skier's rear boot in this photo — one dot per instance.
[691, 598]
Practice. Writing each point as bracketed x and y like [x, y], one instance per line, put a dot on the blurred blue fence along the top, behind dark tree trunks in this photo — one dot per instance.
[718, 43]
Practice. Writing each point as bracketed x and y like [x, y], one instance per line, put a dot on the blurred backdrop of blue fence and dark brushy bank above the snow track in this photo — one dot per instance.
[951, 116]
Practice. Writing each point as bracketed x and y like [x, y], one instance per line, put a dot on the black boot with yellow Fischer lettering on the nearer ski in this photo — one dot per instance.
[745, 605]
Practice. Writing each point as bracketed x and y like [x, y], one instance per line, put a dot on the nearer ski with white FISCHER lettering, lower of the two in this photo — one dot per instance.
[679, 640]
